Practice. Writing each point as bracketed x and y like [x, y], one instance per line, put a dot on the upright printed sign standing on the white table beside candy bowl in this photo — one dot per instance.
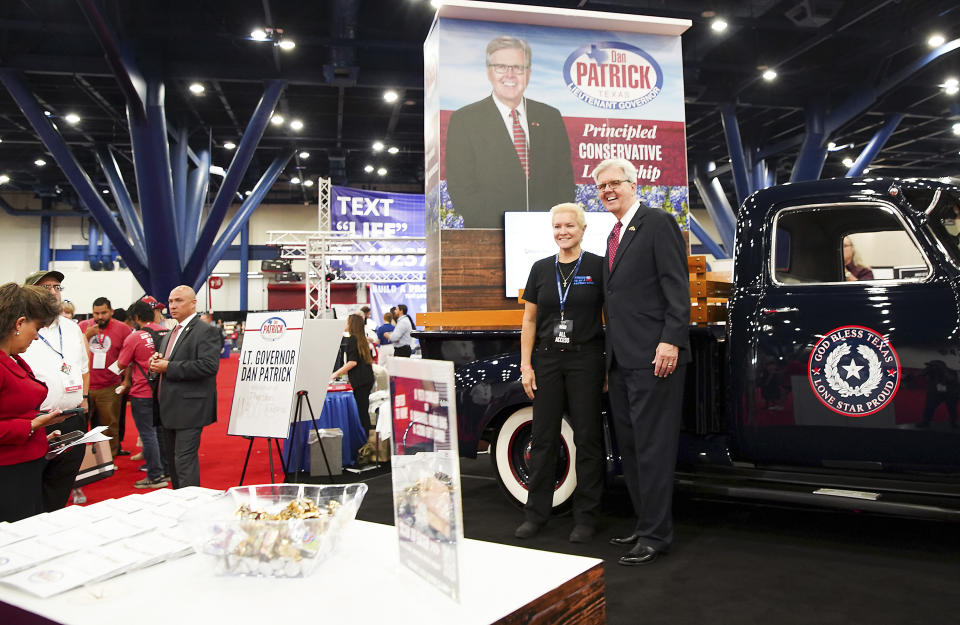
[428, 512]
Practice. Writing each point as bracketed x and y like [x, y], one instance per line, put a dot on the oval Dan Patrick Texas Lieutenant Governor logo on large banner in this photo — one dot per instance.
[613, 75]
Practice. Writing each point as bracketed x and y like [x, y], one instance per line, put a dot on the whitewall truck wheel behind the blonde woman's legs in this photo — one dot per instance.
[510, 454]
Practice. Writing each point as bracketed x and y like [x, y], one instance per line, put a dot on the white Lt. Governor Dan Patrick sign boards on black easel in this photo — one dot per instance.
[283, 353]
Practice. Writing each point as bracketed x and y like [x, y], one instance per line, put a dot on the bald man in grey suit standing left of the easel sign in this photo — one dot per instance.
[188, 361]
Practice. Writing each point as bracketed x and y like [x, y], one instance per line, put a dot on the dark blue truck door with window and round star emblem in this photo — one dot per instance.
[857, 352]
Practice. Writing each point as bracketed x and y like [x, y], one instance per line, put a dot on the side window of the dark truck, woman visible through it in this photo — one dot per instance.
[844, 244]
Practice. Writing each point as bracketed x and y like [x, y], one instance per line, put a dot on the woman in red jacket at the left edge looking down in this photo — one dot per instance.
[23, 442]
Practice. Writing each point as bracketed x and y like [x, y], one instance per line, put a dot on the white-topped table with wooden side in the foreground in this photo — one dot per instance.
[363, 582]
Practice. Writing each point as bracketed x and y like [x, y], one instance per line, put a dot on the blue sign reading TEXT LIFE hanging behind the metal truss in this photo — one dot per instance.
[377, 214]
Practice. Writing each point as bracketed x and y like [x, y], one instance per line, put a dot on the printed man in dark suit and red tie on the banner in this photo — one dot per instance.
[506, 152]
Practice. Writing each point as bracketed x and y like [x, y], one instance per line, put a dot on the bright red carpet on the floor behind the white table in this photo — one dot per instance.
[221, 456]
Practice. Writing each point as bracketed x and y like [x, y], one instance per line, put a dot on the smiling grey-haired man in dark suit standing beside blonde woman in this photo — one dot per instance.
[647, 341]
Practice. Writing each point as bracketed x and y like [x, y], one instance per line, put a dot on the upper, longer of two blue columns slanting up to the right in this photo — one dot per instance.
[241, 160]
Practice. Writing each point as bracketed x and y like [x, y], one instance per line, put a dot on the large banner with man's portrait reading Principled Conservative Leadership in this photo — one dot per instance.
[527, 111]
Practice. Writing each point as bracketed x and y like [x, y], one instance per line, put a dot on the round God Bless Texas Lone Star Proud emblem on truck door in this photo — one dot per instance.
[854, 371]
